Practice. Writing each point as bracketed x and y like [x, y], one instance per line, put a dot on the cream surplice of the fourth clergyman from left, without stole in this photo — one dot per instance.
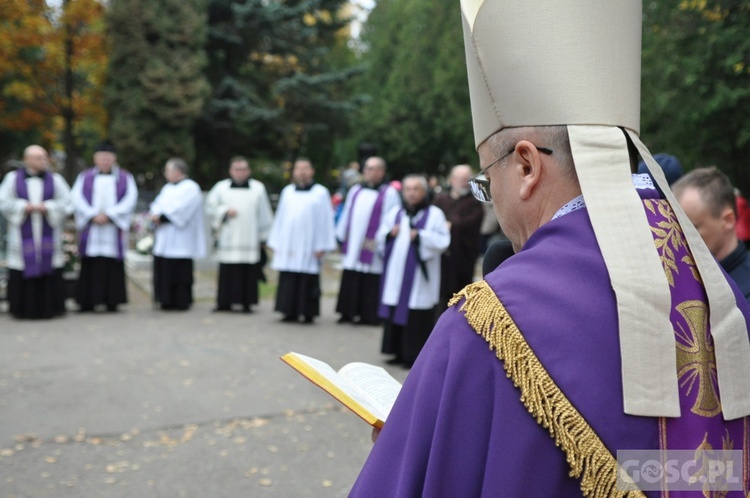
[239, 237]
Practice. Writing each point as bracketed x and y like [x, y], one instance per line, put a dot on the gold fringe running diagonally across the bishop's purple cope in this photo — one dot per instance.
[589, 459]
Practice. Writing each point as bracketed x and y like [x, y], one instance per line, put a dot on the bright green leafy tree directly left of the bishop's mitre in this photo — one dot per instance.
[419, 115]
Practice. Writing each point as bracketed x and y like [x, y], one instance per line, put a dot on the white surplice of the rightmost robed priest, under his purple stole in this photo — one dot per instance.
[434, 239]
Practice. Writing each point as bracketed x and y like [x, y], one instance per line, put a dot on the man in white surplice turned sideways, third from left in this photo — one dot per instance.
[179, 237]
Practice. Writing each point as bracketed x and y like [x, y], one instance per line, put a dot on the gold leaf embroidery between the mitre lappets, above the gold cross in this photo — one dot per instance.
[668, 238]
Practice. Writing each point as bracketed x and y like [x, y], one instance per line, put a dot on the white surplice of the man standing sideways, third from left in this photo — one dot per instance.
[184, 236]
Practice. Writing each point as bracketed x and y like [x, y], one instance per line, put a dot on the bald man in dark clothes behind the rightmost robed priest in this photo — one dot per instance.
[464, 214]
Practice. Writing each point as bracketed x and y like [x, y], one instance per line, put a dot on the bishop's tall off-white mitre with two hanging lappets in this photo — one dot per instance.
[578, 63]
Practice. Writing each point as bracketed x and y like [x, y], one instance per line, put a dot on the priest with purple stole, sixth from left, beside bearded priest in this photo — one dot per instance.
[365, 206]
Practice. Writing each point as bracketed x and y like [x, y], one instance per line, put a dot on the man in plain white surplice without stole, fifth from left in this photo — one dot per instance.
[302, 233]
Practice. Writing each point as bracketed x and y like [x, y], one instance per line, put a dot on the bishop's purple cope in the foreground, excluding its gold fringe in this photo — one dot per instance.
[459, 428]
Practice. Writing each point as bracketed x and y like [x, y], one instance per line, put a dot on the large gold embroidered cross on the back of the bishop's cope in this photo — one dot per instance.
[695, 358]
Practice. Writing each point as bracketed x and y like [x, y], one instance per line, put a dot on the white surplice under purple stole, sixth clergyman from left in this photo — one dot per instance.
[360, 214]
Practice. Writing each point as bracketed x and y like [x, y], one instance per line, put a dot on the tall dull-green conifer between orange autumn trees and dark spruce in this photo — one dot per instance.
[155, 83]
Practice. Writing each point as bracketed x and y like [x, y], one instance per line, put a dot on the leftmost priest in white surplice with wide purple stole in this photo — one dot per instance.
[36, 203]
